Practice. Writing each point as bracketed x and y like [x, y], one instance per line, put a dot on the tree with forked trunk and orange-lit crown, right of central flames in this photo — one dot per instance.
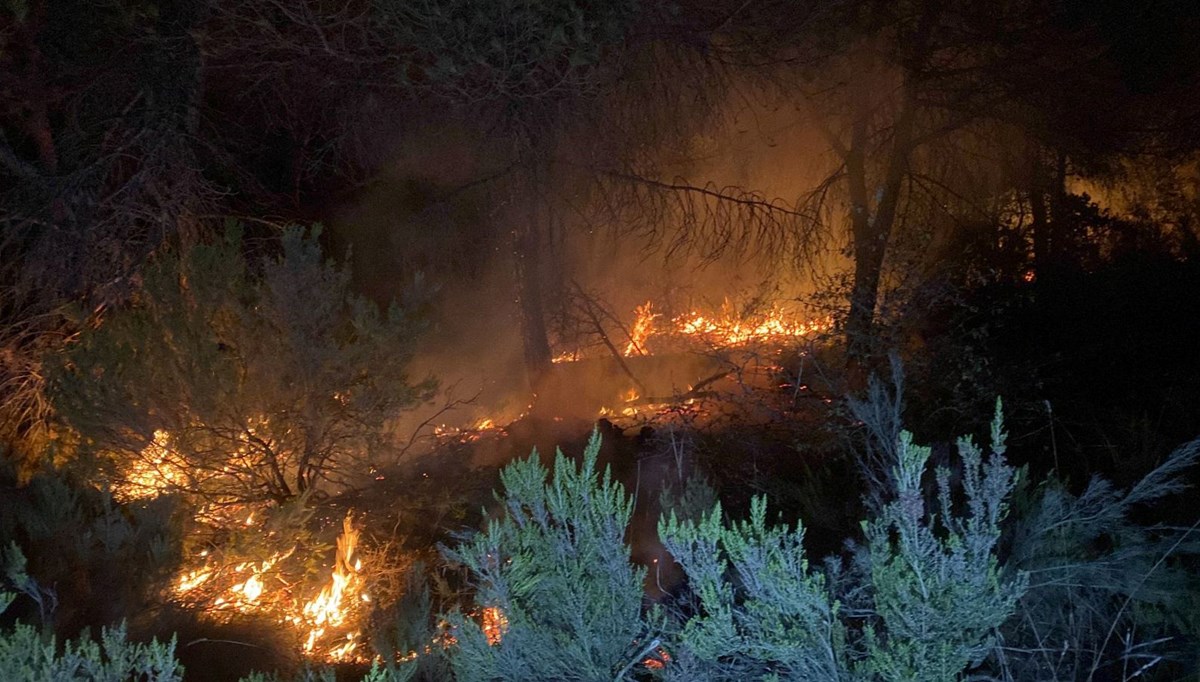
[916, 100]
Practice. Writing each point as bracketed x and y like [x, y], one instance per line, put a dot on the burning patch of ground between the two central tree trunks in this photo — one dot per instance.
[667, 363]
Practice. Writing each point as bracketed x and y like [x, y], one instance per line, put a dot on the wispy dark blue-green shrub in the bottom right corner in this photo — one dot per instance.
[1115, 591]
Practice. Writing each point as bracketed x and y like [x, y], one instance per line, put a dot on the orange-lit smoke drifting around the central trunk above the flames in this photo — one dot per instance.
[447, 207]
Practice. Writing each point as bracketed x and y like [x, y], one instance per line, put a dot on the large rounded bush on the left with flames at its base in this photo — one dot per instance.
[262, 380]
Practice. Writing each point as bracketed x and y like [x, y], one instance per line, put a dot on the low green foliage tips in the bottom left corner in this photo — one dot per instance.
[26, 655]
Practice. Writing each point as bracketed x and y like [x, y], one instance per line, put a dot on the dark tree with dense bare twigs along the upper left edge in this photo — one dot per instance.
[98, 169]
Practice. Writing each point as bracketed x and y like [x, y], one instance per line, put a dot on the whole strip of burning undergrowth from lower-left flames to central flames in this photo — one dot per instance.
[320, 565]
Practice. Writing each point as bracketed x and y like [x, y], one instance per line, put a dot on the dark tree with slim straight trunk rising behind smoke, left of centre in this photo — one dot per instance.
[527, 67]
